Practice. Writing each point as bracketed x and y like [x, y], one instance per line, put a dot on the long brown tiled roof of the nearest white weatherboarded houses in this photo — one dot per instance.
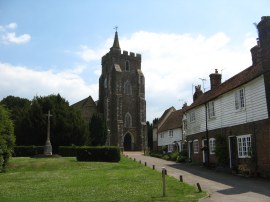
[239, 79]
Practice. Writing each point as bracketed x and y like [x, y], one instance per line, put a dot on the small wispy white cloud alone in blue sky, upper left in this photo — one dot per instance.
[10, 37]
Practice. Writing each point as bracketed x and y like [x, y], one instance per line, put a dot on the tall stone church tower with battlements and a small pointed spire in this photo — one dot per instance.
[122, 98]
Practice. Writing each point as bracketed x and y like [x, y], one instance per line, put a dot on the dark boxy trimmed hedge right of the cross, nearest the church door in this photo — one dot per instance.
[103, 154]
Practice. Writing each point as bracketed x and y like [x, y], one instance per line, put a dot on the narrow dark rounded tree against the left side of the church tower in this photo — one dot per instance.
[98, 130]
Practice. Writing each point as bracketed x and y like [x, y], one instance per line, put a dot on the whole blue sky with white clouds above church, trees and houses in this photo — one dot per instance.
[50, 47]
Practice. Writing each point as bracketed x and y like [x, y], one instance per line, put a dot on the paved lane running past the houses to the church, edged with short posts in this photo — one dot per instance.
[221, 186]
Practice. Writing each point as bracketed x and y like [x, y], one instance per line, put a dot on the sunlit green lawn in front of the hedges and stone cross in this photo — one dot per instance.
[65, 179]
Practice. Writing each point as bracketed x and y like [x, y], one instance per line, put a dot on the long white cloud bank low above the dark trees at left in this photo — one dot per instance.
[25, 82]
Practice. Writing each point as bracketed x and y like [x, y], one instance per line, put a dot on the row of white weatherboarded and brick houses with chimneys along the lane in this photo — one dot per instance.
[233, 116]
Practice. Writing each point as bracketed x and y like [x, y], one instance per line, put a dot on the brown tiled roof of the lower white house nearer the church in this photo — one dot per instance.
[173, 121]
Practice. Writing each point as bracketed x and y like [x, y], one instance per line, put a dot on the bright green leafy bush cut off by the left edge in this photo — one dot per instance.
[7, 138]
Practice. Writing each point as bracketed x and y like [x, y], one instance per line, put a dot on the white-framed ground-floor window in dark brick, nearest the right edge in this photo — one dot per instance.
[244, 146]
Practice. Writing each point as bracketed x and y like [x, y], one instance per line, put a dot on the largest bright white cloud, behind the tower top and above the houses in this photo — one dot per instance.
[173, 63]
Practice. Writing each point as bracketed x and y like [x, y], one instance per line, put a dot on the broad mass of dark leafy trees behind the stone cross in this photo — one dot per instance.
[67, 125]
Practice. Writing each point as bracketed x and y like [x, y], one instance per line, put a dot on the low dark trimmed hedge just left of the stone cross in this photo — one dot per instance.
[27, 151]
